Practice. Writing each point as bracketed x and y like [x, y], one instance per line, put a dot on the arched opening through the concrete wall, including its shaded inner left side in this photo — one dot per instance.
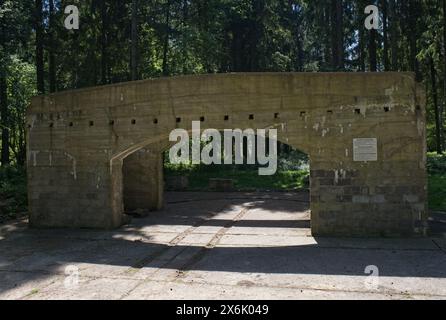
[234, 195]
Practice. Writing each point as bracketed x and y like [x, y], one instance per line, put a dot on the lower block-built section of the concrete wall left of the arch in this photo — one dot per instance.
[69, 192]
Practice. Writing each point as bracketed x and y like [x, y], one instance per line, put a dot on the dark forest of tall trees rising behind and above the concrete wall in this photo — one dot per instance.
[138, 39]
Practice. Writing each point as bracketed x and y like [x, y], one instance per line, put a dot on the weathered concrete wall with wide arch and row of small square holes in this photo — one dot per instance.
[79, 140]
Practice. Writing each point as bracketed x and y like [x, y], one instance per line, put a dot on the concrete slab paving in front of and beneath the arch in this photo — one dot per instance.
[230, 246]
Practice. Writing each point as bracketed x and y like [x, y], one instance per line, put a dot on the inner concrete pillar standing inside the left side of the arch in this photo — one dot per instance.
[143, 183]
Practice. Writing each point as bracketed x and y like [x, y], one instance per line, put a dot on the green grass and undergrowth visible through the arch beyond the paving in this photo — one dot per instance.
[293, 169]
